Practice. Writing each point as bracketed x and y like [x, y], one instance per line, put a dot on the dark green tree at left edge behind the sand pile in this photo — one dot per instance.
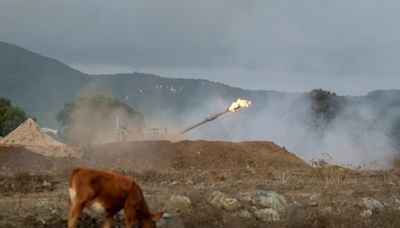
[10, 116]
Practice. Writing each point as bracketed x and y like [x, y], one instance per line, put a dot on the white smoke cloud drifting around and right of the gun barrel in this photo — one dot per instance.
[353, 138]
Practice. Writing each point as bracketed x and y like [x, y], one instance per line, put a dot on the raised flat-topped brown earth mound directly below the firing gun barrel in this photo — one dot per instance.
[155, 155]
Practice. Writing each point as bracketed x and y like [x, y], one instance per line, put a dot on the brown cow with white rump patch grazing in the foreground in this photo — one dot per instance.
[107, 193]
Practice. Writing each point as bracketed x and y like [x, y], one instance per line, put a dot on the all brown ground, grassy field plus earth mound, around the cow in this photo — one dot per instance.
[33, 187]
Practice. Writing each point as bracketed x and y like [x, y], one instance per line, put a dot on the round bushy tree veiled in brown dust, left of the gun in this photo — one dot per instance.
[98, 119]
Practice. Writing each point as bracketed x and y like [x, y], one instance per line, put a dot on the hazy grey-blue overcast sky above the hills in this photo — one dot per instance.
[350, 47]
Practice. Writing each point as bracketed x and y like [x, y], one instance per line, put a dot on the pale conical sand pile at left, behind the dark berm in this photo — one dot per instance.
[29, 136]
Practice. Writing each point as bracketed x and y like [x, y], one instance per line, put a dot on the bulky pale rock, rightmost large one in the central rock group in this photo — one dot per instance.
[270, 200]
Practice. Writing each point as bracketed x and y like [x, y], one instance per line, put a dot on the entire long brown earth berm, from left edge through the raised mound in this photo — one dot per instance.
[159, 155]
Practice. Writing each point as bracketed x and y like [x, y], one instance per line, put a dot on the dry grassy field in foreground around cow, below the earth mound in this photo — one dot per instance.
[308, 190]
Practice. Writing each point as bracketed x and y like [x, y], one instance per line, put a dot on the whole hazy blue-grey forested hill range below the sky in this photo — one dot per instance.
[41, 85]
